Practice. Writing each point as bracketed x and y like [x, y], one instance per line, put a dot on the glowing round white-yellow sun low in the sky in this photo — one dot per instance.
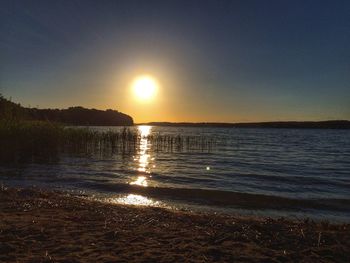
[145, 87]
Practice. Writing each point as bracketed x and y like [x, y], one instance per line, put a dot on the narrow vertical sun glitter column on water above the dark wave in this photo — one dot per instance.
[143, 156]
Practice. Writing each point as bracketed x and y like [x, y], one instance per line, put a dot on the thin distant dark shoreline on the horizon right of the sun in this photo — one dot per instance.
[333, 124]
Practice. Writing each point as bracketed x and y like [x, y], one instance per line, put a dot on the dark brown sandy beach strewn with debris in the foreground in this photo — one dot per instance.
[43, 226]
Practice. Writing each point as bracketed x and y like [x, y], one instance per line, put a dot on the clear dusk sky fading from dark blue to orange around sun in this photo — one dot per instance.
[215, 61]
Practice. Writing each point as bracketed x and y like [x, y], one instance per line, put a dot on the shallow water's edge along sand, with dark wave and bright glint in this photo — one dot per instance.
[209, 201]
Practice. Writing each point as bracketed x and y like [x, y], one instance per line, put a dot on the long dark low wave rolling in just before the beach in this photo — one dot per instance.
[226, 198]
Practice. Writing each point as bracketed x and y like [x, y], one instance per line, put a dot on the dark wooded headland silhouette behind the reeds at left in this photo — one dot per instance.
[71, 116]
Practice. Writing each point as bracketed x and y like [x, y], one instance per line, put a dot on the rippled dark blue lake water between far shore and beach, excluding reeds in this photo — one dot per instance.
[275, 171]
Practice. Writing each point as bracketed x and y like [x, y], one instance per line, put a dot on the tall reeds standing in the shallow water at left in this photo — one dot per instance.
[43, 141]
